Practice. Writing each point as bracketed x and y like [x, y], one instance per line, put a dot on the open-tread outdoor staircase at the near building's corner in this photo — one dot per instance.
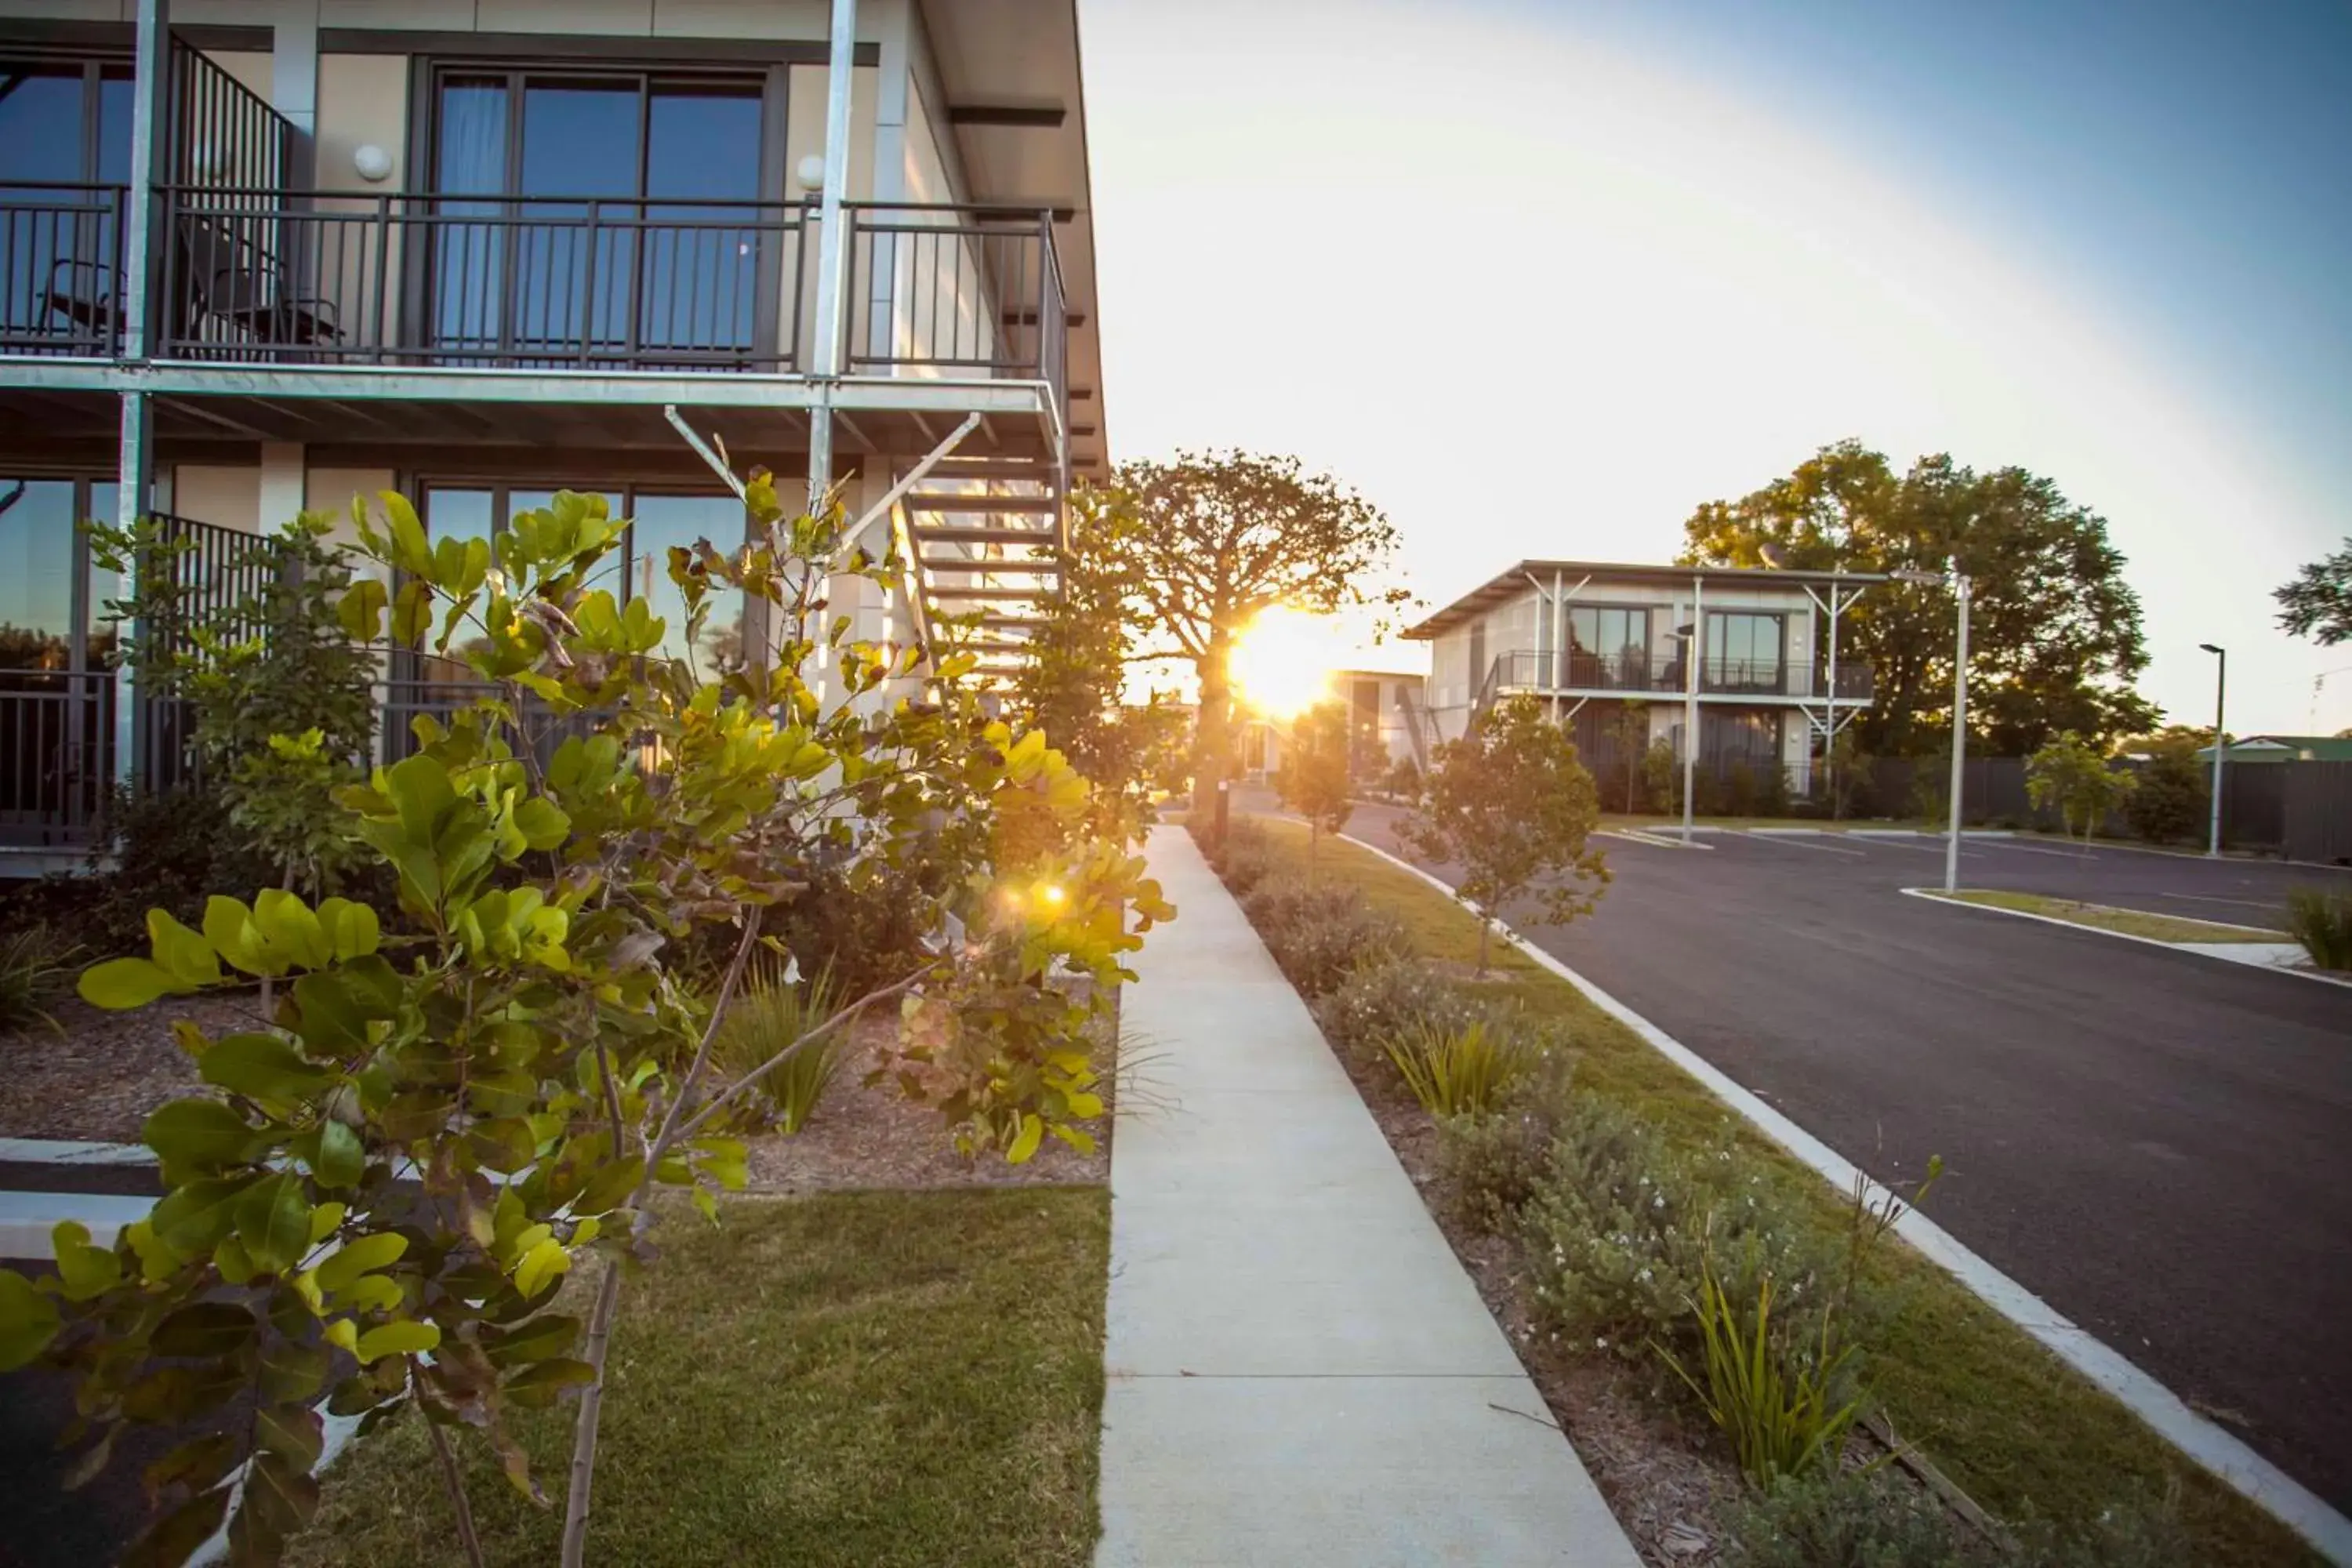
[987, 540]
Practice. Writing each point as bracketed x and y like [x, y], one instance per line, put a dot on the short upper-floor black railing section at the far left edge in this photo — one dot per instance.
[60, 260]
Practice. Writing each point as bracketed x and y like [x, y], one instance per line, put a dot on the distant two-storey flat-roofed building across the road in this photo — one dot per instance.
[1608, 650]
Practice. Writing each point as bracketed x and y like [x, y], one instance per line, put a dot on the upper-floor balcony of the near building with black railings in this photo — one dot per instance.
[469, 316]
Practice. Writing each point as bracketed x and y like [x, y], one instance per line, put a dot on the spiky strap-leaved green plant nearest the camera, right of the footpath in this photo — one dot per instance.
[1786, 1416]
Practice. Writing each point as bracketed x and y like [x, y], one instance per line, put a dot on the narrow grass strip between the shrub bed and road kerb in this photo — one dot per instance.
[1986, 1402]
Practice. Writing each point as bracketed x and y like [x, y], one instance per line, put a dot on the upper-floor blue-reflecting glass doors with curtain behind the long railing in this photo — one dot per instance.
[610, 217]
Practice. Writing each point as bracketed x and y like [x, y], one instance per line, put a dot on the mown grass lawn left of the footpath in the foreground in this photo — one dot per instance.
[848, 1379]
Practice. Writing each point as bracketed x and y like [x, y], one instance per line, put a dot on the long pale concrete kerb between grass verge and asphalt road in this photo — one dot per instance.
[2156, 1405]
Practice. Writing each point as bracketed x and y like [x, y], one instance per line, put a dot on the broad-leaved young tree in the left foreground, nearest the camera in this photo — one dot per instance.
[392, 1172]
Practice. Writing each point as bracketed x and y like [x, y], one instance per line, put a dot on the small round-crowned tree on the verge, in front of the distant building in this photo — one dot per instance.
[1516, 810]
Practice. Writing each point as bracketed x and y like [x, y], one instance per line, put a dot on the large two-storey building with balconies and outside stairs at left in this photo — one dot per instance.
[265, 255]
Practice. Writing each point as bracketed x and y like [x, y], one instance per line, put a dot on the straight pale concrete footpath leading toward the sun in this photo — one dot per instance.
[1299, 1367]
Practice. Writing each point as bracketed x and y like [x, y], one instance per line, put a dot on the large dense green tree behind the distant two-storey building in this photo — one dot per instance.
[2054, 638]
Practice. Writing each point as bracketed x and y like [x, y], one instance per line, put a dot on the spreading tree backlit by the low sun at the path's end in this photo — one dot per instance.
[1220, 540]
